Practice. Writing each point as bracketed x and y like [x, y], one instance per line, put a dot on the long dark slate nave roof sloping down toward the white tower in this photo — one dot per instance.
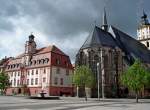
[132, 47]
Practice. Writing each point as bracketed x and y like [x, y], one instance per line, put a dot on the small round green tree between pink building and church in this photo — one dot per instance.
[83, 77]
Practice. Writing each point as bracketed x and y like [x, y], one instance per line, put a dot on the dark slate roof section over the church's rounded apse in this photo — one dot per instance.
[99, 37]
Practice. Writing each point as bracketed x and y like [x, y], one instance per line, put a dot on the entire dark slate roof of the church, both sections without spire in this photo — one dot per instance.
[132, 48]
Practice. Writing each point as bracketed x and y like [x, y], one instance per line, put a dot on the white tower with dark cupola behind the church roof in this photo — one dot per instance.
[143, 31]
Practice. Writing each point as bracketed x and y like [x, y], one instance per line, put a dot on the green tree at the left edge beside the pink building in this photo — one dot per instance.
[4, 82]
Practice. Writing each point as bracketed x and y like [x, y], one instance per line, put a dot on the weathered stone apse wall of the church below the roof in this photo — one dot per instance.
[112, 66]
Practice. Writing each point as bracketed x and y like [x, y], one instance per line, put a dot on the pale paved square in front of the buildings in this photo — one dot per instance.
[71, 103]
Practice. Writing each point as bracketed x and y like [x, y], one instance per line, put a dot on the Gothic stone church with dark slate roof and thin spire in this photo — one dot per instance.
[108, 52]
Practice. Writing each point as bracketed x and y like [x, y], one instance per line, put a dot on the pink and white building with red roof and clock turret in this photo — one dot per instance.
[46, 69]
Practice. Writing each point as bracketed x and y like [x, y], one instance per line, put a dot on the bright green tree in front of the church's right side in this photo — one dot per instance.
[136, 77]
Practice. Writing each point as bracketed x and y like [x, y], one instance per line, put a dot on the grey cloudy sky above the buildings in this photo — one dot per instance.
[64, 23]
